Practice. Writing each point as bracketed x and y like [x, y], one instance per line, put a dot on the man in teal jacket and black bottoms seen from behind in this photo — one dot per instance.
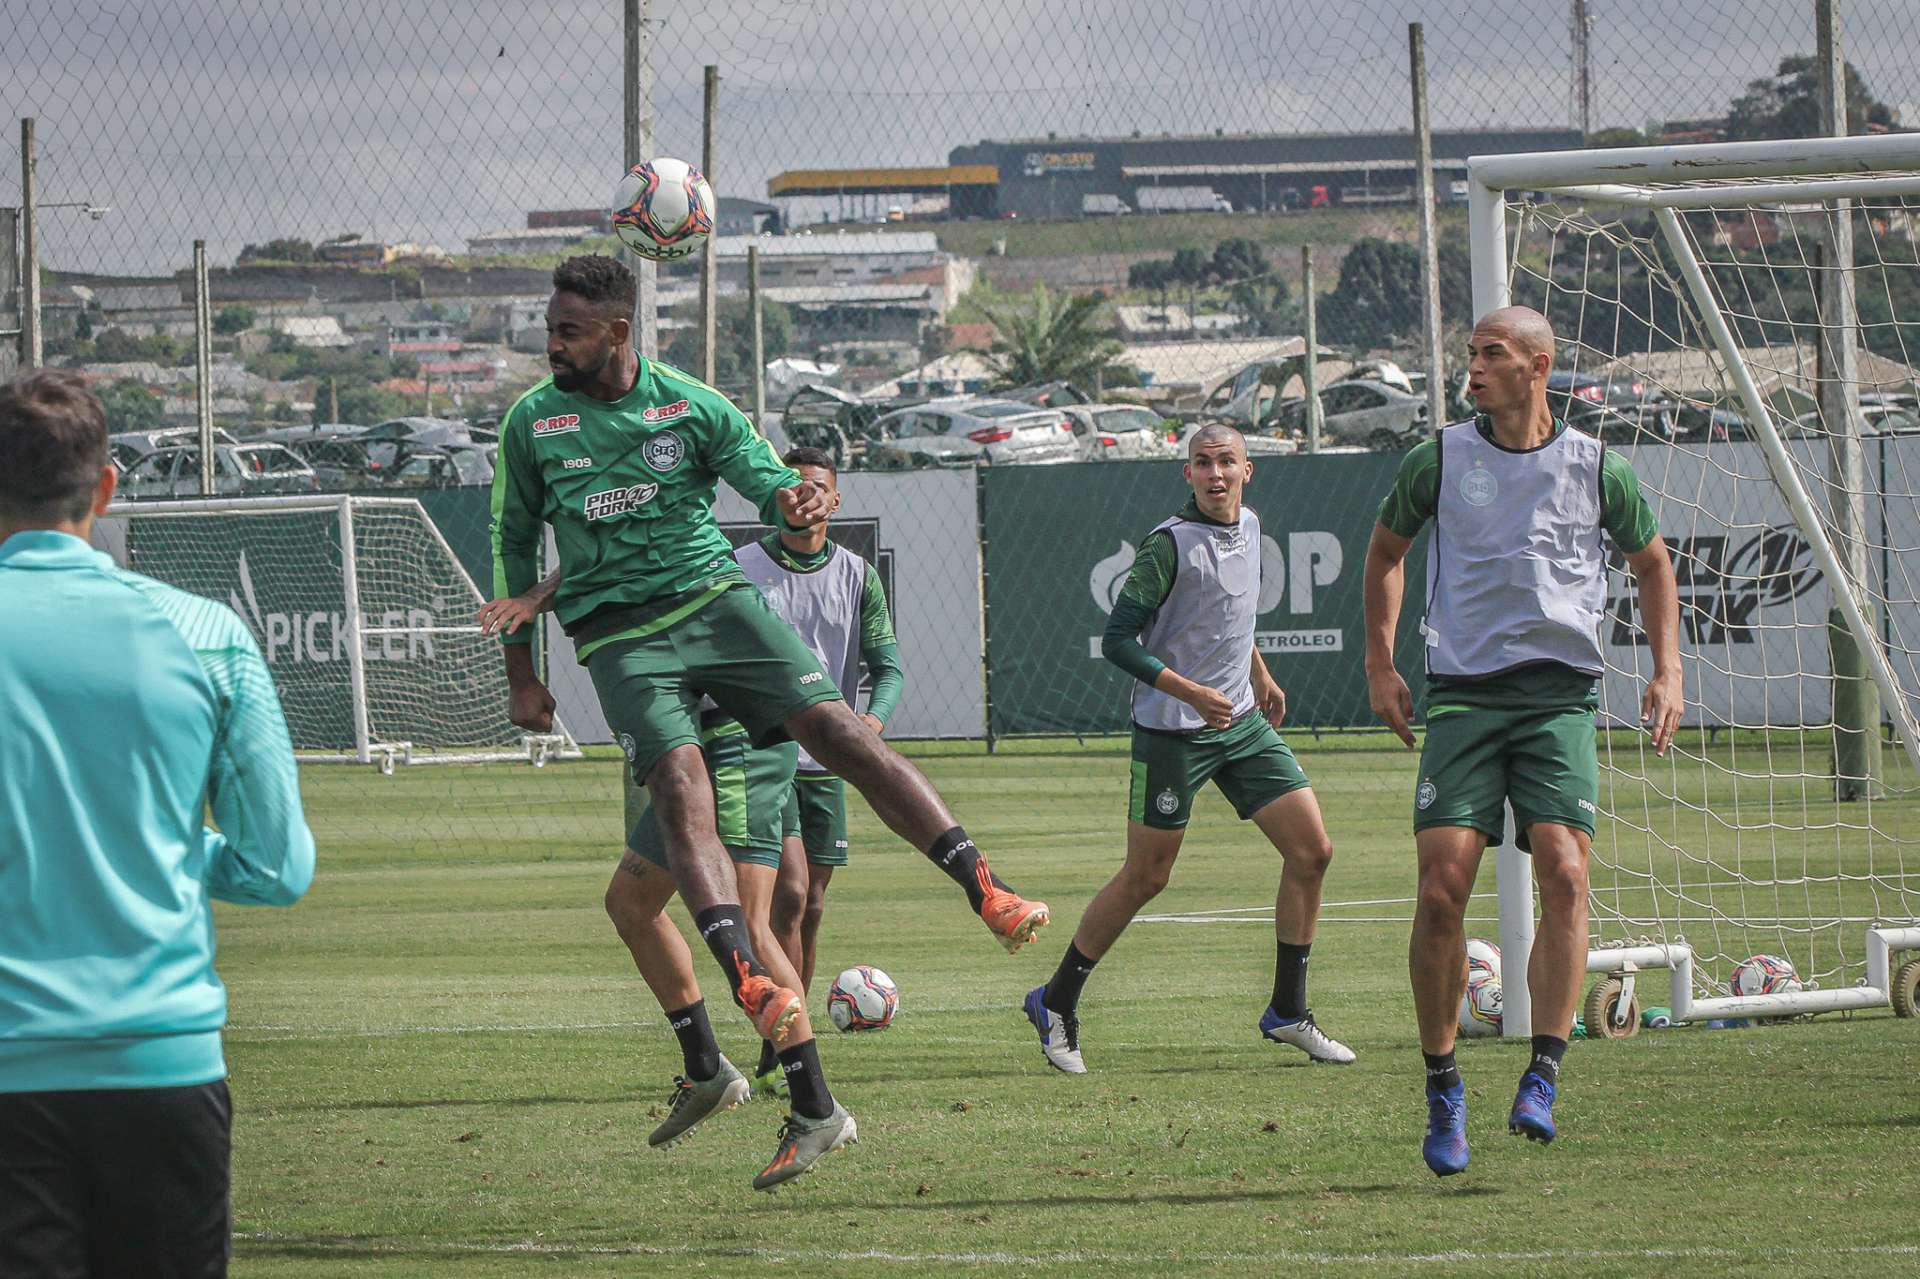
[128, 712]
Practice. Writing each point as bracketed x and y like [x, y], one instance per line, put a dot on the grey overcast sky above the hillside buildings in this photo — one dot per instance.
[435, 120]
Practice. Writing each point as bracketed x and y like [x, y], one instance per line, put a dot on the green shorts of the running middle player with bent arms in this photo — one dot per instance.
[1247, 760]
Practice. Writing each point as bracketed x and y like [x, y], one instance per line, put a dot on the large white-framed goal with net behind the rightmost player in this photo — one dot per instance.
[1744, 322]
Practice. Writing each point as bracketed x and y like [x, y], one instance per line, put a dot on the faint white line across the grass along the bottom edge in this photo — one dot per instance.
[554, 1247]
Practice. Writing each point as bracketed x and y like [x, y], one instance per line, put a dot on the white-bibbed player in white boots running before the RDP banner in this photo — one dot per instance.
[1205, 710]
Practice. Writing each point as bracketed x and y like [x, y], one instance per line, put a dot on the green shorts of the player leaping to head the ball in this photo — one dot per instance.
[736, 650]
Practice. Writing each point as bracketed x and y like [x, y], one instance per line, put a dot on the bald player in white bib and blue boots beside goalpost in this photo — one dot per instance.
[1524, 510]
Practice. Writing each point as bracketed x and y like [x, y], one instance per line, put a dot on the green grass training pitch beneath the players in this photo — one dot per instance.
[444, 1065]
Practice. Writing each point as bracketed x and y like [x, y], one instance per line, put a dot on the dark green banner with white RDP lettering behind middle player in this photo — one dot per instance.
[1059, 544]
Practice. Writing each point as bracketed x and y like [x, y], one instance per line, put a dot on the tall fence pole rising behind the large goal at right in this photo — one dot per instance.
[1856, 700]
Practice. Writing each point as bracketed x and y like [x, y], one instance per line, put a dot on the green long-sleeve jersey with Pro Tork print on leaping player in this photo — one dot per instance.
[629, 489]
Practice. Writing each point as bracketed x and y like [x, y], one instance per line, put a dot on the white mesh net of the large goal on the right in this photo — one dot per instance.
[1740, 842]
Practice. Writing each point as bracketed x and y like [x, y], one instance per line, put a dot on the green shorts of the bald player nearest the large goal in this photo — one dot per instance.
[1477, 760]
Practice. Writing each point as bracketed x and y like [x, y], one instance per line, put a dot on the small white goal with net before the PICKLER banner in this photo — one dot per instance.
[364, 614]
